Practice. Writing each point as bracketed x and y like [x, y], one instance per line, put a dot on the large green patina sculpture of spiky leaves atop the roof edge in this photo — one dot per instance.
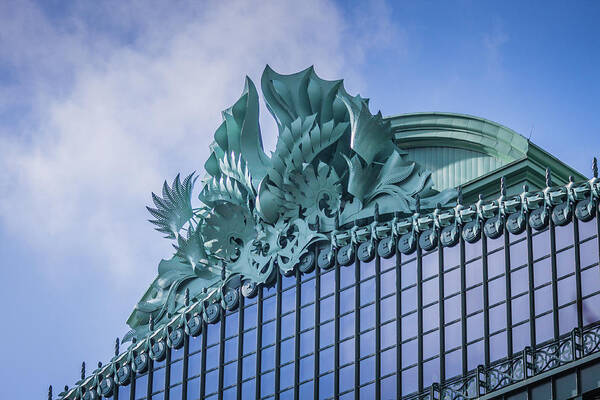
[334, 163]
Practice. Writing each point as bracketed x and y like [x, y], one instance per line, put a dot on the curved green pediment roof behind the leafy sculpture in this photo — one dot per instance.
[474, 152]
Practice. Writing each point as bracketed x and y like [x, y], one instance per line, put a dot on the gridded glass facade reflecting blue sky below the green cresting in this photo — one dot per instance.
[389, 327]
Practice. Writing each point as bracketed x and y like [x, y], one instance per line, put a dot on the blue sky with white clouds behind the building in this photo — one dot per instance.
[100, 103]
